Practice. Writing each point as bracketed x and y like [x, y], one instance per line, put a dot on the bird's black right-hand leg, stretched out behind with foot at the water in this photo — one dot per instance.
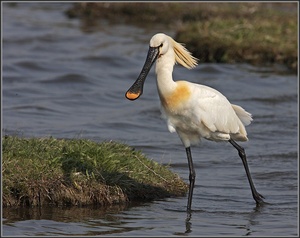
[257, 197]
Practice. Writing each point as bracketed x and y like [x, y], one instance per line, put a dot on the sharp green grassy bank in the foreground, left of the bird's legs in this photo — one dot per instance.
[49, 171]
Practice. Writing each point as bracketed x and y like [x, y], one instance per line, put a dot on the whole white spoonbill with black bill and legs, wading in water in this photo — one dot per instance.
[192, 110]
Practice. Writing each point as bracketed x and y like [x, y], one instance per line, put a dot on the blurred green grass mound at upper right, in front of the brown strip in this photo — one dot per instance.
[265, 37]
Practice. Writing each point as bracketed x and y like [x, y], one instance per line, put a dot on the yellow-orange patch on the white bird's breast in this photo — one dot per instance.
[174, 99]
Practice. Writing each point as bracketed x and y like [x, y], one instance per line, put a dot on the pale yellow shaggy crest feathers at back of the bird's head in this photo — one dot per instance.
[183, 56]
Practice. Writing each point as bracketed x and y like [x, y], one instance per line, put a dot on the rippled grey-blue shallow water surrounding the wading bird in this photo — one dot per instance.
[66, 79]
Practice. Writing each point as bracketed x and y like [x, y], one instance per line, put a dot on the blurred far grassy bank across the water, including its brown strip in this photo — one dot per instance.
[260, 33]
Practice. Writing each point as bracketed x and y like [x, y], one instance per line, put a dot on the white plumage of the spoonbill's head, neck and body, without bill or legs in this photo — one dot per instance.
[194, 110]
